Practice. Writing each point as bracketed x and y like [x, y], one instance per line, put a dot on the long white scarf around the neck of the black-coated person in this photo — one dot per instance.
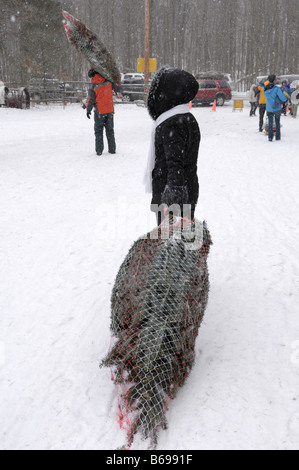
[148, 179]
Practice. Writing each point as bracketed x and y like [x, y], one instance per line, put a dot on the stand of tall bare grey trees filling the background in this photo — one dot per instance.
[241, 37]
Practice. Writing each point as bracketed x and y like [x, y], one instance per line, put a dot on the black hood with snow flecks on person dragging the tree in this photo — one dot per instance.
[169, 88]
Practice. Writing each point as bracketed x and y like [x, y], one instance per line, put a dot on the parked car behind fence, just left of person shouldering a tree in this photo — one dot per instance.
[49, 89]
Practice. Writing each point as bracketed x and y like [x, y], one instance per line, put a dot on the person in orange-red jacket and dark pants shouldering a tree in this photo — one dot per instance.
[100, 99]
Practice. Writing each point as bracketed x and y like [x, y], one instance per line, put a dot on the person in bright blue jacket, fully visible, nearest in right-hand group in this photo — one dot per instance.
[275, 98]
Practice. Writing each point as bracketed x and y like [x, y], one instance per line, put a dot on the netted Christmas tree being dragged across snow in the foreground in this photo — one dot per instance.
[158, 303]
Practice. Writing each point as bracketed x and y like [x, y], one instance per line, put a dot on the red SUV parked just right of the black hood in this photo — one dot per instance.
[210, 90]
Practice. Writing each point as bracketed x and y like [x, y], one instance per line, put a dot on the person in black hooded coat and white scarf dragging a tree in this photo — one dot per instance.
[175, 143]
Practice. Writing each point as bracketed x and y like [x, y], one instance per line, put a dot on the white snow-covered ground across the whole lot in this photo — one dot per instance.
[58, 265]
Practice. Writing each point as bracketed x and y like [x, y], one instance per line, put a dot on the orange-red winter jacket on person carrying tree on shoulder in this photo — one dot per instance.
[100, 95]
